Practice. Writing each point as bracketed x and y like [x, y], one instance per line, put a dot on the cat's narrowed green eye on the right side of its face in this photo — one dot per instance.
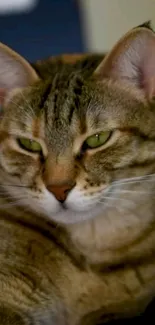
[97, 140]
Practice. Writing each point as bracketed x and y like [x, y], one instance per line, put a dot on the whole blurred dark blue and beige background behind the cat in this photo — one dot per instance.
[40, 28]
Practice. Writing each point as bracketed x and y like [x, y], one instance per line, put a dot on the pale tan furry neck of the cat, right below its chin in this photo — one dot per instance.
[116, 237]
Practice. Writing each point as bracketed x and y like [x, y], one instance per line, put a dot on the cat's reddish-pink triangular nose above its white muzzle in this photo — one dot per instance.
[60, 191]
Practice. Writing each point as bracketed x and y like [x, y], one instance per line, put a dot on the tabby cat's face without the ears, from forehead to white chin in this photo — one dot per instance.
[61, 128]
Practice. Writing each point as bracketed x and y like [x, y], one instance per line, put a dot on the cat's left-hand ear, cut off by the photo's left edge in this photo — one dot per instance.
[15, 72]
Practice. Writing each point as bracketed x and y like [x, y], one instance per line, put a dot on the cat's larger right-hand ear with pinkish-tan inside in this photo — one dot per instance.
[133, 60]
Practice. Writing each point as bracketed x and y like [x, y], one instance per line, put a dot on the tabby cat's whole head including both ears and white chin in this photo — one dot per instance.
[67, 143]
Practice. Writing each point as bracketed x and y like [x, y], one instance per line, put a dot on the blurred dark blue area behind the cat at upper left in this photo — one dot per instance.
[52, 28]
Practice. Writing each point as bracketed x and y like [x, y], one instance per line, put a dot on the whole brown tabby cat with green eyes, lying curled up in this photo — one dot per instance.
[77, 184]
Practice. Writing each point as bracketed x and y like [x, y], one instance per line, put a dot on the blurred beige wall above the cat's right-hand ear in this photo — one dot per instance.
[104, 21]
